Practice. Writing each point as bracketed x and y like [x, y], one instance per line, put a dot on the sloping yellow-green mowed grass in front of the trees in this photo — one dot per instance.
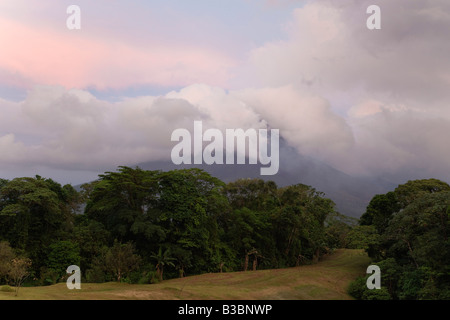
[326, 280]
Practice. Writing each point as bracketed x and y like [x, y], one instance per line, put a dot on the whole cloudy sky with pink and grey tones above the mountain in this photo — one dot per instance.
[76, 103]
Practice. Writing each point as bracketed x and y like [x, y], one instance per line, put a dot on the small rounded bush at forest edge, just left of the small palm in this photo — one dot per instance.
[121, 260]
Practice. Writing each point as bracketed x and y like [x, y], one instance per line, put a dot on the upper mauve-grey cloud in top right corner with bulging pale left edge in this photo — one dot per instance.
[330, 49]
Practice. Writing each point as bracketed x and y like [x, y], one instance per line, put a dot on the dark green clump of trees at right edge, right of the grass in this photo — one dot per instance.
[412, 247]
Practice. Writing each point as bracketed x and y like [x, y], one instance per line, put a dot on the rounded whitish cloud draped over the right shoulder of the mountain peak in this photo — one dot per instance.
[305, 121]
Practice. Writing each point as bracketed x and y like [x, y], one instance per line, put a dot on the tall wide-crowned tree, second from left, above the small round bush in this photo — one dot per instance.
[124, 203]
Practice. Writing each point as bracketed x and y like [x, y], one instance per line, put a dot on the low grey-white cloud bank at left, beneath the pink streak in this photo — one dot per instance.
[72, 129]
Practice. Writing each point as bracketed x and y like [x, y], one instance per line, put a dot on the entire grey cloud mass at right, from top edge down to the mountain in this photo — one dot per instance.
[390, 85]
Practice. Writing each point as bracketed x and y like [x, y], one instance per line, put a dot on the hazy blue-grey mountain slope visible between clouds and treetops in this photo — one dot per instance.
[351, 194]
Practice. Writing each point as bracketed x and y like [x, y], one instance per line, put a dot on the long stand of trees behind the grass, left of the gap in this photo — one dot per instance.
[144, 226]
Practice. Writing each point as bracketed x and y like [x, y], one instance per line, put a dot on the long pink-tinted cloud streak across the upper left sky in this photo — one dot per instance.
[79, 58]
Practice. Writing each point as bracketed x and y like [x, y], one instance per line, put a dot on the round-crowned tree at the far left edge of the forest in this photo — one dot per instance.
[35, 212]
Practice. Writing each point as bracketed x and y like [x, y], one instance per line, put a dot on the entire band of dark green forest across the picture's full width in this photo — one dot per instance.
[141, 226]
